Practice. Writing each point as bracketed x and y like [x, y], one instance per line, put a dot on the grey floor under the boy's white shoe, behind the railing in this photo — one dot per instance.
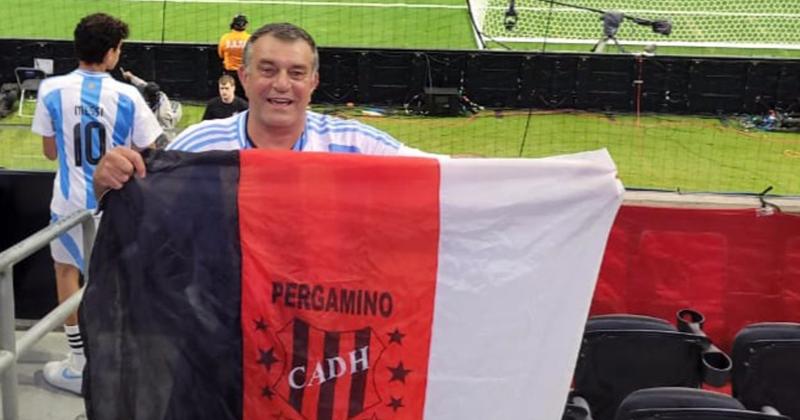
[37, 399]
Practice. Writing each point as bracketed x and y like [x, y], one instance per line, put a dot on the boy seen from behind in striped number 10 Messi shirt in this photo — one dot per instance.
[81, 116]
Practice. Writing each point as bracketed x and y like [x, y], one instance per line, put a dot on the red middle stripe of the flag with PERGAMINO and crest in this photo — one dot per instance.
[341, 244]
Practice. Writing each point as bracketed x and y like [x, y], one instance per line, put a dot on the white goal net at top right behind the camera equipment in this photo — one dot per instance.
[699, 23]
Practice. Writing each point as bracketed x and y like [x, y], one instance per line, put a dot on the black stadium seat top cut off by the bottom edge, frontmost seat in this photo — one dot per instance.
[674, 403]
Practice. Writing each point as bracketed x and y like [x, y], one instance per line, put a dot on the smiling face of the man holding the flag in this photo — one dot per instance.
[279, 81]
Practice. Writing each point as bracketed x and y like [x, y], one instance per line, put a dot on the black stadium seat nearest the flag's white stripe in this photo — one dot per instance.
[623, 353]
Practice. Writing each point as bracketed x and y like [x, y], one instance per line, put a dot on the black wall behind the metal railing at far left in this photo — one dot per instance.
[25, 209]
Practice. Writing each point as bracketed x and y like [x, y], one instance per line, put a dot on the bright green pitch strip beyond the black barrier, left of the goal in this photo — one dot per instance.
[410, 24]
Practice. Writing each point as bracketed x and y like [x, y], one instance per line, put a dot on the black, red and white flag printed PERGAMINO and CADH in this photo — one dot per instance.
[269, 285]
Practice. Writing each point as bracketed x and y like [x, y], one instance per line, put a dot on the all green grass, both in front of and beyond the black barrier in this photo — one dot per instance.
[657, 151]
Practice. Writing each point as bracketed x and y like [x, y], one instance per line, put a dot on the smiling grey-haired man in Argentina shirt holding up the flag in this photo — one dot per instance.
[279, 73]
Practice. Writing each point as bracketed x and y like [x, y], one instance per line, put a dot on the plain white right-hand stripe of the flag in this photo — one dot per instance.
[519, 253]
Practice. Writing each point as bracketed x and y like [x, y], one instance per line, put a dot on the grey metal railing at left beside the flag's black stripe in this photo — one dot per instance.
[10, 349]
